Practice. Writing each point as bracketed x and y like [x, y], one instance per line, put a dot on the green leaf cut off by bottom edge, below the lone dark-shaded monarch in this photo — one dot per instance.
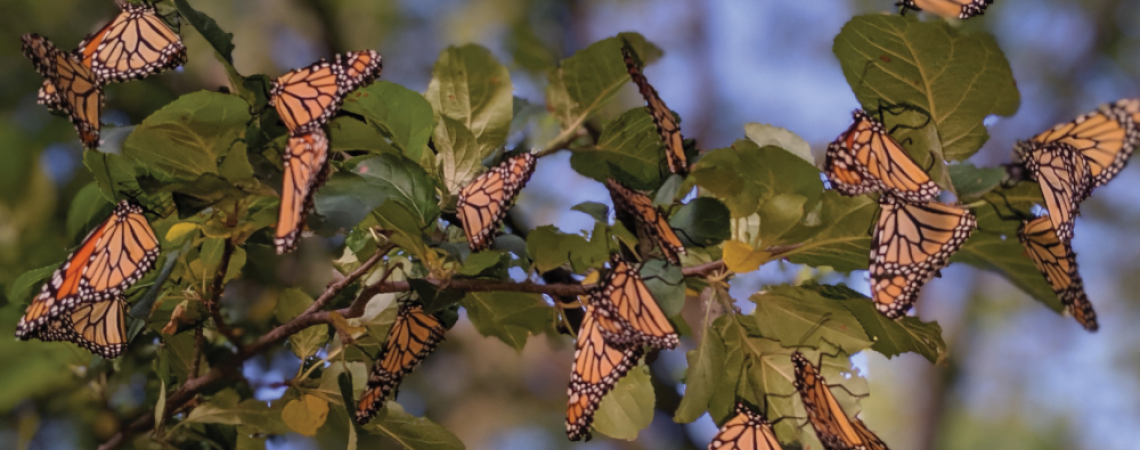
[411, 432]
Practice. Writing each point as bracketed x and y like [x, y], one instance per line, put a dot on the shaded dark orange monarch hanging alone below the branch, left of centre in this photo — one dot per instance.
[413, 338]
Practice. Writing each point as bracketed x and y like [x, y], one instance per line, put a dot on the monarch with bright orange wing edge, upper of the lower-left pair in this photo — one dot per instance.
[112, 258]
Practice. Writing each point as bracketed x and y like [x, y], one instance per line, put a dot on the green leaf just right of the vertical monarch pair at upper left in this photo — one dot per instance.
[404, 117]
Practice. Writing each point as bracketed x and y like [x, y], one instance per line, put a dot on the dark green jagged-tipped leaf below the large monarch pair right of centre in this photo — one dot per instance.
[892, 338]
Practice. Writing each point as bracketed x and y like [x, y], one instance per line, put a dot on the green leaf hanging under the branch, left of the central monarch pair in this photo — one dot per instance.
[509, 316]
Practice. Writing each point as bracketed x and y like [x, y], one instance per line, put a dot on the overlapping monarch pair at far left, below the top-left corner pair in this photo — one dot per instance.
[83, 301]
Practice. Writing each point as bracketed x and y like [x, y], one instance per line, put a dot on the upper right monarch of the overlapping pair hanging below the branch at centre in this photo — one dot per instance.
[629, 313]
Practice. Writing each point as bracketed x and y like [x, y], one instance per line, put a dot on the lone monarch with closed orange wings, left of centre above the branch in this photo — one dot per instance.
[485, 201]
